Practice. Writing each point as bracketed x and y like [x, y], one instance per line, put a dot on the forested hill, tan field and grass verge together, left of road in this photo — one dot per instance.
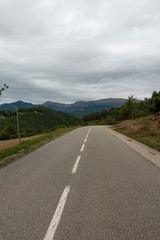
[38, 120]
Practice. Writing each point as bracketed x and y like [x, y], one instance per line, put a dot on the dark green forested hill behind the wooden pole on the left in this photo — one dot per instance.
[34, 120]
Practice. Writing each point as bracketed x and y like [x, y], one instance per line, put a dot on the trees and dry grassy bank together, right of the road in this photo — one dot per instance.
[136, 119]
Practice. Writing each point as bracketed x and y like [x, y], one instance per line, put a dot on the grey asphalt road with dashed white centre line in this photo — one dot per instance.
[80, 188]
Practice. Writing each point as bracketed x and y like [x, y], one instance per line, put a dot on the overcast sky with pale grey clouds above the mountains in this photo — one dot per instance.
[71, 50]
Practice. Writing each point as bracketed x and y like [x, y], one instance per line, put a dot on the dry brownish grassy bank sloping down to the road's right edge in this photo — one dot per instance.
[145, 130]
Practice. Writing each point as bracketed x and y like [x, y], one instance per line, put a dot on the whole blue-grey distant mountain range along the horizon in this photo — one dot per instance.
[79, 109]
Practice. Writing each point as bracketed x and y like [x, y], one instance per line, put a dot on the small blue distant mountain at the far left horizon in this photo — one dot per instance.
[14, 105]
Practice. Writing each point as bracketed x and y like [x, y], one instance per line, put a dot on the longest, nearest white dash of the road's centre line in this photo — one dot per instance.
[57, 215]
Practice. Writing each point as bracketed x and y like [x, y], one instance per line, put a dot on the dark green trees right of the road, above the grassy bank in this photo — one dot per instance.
[132, 109]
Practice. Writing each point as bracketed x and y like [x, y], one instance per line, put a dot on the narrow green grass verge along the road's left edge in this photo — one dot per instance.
[11, 154]
